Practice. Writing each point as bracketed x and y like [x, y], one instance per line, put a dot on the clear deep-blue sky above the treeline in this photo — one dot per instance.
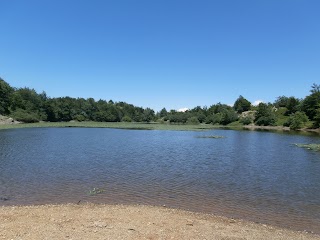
[162, 53]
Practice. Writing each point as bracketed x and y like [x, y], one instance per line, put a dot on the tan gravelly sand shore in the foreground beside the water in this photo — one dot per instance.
[90, 221]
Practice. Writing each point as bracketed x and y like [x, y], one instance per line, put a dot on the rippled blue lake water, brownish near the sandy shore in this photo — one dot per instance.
[259, 176]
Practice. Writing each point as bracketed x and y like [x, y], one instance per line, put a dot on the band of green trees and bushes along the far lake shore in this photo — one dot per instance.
[26, 105]
